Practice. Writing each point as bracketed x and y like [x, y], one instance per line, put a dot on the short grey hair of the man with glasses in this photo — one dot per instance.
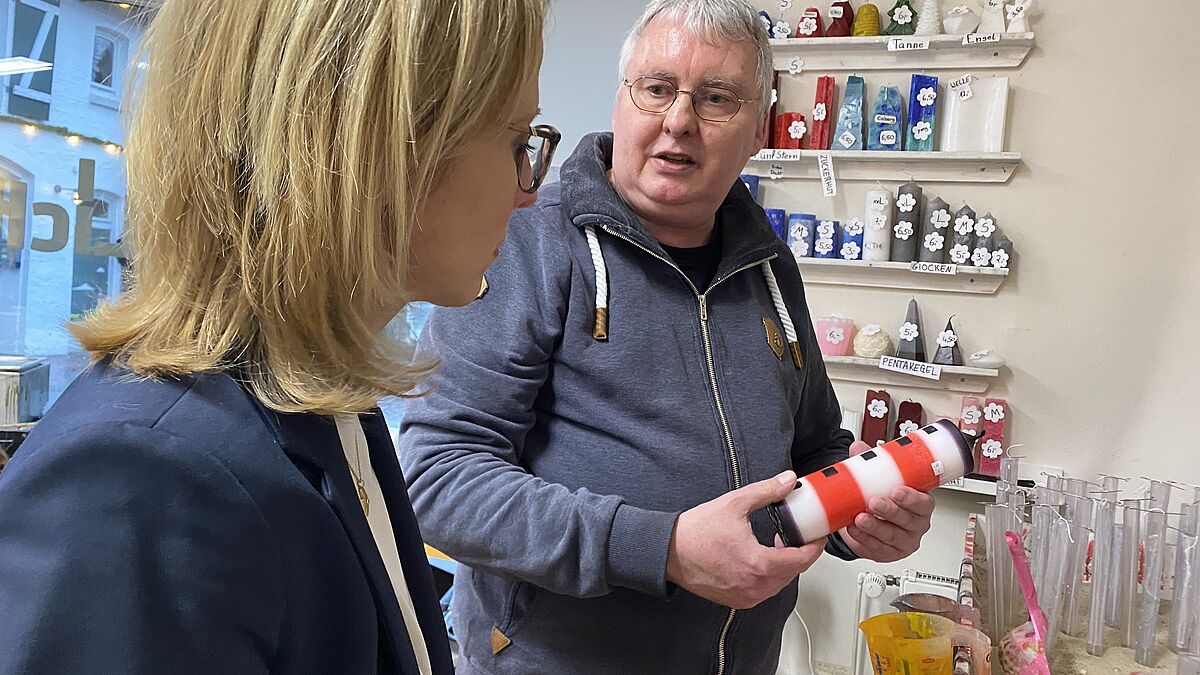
[736, 21]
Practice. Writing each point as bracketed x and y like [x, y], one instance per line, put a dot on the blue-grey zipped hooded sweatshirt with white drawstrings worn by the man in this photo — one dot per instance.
[553, 457]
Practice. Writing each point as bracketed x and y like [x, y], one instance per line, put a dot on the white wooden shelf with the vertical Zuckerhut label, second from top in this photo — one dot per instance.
[889, 165]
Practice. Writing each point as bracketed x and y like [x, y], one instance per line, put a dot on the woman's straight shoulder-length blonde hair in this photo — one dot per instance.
[278, 158]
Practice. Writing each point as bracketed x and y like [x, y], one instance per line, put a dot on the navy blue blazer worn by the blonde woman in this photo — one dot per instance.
[179, 527]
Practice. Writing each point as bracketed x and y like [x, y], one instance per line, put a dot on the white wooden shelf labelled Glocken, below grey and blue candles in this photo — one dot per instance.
[871, 274]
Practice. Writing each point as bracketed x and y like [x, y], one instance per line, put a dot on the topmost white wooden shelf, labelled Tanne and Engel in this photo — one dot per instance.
[873, 55]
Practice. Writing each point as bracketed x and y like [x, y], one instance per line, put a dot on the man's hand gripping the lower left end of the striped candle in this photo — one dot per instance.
[716, 555]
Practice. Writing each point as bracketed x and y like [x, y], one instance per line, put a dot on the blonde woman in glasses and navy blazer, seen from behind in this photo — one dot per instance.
[219, 494]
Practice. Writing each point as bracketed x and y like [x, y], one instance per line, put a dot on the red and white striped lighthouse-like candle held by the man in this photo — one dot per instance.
[829, 500]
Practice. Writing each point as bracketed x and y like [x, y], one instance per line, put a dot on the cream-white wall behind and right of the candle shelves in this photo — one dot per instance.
[1100, 318]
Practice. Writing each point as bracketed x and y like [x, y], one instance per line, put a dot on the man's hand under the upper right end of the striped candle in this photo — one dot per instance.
[893, 528]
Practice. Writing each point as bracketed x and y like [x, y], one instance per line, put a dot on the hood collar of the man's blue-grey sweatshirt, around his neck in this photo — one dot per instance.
[589, 199]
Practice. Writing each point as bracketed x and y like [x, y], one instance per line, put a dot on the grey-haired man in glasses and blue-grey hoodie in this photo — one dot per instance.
[652, 380]
